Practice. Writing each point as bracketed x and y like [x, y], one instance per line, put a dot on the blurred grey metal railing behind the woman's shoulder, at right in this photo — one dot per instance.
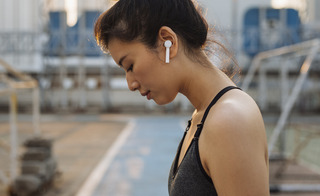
[308, 49]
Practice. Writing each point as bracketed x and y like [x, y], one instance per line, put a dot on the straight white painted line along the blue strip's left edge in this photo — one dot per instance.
[97, 174]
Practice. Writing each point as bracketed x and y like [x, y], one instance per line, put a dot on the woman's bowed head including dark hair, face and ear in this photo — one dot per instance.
[134, 33]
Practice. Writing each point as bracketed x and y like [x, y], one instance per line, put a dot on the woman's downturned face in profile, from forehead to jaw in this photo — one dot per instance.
[145, 70]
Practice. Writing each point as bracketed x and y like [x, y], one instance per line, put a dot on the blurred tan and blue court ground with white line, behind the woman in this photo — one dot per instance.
[122, 155]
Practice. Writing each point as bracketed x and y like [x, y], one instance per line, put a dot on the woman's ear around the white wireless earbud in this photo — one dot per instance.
[166, 33]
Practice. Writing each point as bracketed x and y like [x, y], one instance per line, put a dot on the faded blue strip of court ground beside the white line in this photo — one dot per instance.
[142, 164]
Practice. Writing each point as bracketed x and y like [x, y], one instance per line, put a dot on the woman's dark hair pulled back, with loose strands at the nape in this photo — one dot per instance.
[141, 20]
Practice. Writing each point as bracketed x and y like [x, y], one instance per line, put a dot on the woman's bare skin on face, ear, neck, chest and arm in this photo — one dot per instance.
[232, 145]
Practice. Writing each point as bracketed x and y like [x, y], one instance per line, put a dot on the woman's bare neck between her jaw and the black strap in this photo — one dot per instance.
[202, 84]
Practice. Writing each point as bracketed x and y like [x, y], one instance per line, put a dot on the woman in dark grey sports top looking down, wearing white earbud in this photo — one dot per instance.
[161, 46]
